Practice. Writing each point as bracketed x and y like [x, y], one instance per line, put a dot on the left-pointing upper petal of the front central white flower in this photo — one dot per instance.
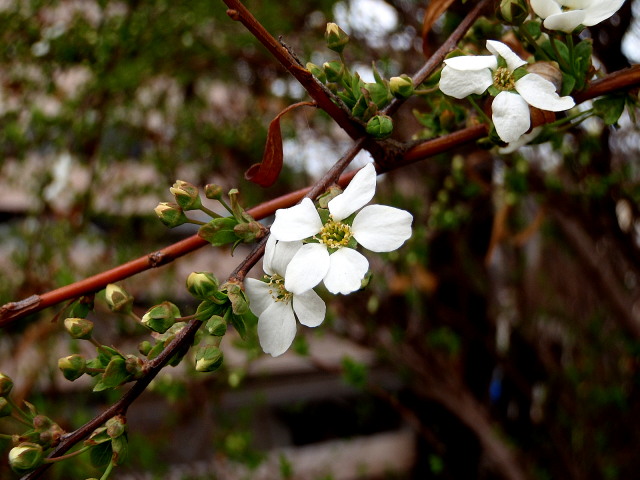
[296, 223]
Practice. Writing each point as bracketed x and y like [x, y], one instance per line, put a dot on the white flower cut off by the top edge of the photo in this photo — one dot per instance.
[567, 15]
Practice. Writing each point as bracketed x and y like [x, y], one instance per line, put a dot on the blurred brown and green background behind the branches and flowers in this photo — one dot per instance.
[502, 341]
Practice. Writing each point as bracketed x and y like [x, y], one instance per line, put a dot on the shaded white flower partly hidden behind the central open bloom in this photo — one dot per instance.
[276, 307]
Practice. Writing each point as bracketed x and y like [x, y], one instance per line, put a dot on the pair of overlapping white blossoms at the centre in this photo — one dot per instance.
[308, 246]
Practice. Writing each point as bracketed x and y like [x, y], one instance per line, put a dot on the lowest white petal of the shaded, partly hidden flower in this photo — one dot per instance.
[277, 328]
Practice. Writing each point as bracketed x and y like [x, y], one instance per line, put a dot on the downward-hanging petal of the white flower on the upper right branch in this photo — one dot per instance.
[510, 115]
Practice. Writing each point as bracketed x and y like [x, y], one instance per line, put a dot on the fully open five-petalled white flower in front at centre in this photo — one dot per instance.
[332, 259]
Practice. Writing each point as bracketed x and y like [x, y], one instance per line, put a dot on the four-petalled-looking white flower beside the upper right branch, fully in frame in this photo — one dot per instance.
[465, 75]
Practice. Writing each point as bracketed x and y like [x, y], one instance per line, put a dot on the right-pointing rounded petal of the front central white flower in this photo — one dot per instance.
[380, 228]
